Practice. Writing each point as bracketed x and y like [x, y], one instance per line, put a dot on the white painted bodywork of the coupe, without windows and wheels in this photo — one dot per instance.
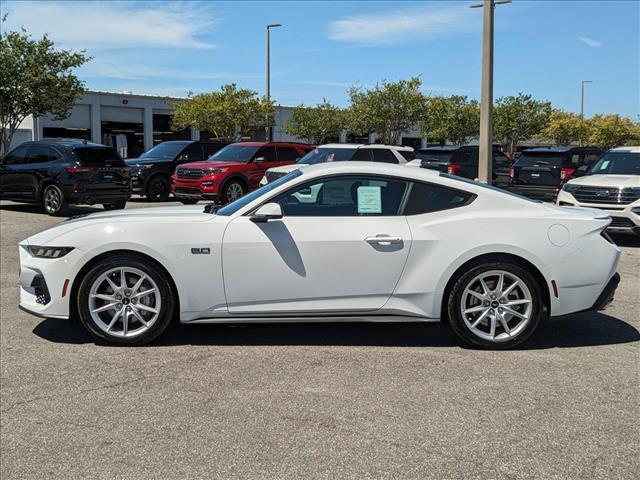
[323, 265]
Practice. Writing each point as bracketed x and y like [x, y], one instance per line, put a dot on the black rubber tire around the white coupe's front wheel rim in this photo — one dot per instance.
[166, 295]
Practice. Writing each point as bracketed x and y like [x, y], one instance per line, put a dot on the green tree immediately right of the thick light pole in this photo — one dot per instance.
[517, 118]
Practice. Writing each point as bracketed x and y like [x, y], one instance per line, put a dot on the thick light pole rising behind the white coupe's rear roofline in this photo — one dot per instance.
[486, 91]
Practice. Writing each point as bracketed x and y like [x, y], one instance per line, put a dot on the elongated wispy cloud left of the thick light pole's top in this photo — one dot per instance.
[402, 25]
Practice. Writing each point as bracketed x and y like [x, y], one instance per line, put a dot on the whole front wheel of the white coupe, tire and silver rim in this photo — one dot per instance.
[125, 301]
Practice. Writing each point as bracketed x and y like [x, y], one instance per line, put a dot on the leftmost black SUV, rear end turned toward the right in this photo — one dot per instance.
[57, 172]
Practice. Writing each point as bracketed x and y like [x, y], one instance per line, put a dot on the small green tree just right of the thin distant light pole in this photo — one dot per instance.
[317, 124]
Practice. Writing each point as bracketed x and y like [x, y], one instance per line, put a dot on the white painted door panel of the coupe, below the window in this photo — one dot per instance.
[307, 265]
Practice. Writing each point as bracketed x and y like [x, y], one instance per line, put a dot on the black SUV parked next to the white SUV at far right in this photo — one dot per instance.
[539, 173]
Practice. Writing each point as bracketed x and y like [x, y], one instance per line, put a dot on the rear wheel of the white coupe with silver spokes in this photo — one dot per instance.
[495, 305]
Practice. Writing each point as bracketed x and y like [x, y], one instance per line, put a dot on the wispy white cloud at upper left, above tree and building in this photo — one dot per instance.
[114, 25]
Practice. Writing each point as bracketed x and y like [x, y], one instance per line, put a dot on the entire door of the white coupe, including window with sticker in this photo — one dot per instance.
[342, 253]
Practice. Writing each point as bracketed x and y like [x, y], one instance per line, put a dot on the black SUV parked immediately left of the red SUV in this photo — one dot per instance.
[151, 172]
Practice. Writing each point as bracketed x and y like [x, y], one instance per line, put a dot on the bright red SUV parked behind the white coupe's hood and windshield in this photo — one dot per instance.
[232, 171]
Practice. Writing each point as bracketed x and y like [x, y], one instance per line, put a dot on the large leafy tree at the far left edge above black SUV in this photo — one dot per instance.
[35, 79]
